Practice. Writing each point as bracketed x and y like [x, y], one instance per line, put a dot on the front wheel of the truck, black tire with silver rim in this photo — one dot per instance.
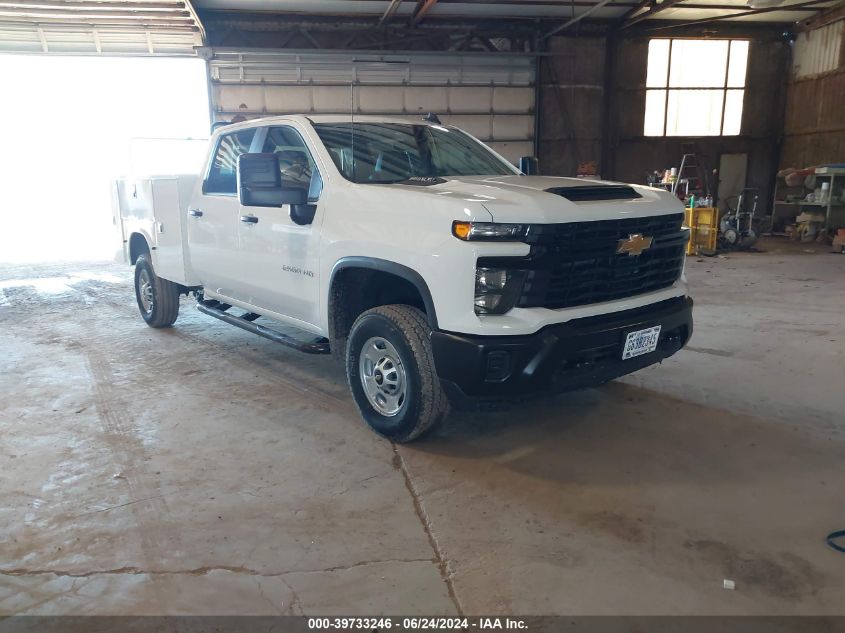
[390, 369]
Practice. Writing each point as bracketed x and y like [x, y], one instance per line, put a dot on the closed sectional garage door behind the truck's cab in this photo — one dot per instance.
[489, 95]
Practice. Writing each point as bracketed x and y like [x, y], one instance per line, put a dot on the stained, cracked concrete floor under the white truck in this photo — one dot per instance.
[204, 470]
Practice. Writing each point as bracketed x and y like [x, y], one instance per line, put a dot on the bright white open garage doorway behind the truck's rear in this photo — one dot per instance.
[74, 124]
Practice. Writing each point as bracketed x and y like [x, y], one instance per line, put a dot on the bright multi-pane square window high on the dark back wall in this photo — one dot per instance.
[695, 87]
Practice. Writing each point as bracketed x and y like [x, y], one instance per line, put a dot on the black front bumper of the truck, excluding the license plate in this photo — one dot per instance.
[573, 355]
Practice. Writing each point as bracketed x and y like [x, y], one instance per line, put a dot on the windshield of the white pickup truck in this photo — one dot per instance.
[396, 152]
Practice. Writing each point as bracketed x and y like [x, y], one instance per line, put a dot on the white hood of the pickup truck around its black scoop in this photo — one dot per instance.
[524, 199]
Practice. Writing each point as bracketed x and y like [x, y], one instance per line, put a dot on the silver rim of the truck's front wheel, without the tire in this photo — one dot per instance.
[383, 376]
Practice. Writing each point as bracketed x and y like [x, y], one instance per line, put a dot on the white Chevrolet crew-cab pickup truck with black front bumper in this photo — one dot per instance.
[436, 270]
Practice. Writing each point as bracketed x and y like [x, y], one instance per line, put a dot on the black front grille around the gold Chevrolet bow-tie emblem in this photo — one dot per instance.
[576, 263]
